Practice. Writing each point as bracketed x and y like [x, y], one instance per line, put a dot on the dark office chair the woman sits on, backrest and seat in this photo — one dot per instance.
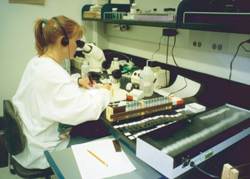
[15, 143]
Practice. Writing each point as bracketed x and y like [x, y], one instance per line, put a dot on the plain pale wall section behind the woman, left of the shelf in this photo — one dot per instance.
[17, 37]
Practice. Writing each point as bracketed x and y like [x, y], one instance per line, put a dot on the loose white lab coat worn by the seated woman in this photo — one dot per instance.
[46, 96]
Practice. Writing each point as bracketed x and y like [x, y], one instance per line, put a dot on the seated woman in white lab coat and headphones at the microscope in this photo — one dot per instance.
[47, 95]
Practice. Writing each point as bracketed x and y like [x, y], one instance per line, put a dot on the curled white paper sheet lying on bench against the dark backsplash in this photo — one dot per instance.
[190, 90]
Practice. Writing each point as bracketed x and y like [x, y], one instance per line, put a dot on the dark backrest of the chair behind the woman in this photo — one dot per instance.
[15, 139]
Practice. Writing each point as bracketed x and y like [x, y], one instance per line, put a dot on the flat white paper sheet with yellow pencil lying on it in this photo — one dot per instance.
[92, 168]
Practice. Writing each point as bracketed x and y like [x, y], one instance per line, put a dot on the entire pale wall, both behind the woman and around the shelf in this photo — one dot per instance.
[17, 41]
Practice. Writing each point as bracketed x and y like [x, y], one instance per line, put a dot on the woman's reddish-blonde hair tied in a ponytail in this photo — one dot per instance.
[47, 31]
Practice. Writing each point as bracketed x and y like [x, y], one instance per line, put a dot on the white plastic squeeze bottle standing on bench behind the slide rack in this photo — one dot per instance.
[146, 81]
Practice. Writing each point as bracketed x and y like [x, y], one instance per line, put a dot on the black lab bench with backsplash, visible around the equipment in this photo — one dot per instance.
[214, 92]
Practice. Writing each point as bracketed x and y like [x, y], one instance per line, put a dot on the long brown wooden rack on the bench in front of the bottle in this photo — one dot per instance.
[119, 113]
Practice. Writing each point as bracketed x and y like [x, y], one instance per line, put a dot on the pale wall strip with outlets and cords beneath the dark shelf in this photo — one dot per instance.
[143, 41]
